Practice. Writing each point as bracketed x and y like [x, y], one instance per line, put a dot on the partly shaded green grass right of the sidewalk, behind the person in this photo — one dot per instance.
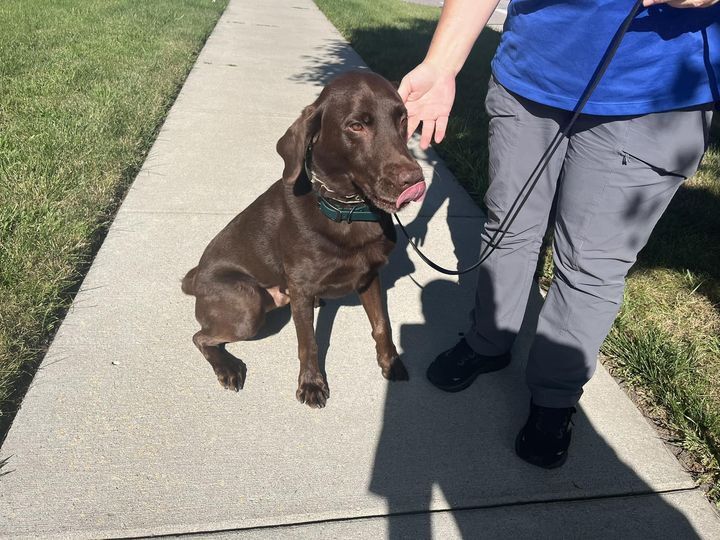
[665, 343]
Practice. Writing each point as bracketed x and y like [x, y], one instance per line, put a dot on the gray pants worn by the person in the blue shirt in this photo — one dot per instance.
[613, 179]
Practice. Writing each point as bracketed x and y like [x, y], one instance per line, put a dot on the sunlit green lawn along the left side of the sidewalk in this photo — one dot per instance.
[84, 86]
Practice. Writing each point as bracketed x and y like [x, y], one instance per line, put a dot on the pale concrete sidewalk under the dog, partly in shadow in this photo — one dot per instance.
[126, 432]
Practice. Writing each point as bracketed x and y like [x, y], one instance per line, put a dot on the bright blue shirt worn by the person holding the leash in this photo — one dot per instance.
[669, 59]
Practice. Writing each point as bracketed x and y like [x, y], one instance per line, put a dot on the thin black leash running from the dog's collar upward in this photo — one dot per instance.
[534, 177]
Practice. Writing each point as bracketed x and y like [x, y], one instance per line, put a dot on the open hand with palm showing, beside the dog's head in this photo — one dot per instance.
[428, 92]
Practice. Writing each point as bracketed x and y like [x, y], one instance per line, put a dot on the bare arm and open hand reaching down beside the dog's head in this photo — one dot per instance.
[429, 90]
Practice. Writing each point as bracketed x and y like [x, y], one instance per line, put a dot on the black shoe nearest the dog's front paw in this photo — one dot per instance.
[457, 368]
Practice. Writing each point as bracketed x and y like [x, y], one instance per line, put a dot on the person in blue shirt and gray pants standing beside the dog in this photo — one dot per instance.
[642, 133]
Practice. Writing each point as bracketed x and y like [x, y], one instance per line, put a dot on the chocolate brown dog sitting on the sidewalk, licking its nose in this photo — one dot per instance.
[322, 231]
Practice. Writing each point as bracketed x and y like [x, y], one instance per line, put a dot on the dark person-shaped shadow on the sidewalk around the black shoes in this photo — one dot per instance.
[439, 450]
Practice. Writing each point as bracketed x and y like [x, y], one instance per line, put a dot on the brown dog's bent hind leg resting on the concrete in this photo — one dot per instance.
[229, 310]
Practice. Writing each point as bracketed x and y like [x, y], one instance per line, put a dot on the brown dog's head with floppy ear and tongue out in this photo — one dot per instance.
[357, 128]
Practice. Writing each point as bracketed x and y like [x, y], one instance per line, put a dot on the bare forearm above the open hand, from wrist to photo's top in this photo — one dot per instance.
[459, 26]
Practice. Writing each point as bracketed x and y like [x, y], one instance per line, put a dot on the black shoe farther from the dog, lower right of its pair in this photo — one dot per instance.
[545, 438]
